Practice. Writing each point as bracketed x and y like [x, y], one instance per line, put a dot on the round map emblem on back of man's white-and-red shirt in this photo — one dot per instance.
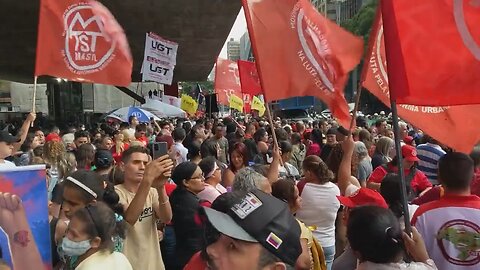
[458, 242]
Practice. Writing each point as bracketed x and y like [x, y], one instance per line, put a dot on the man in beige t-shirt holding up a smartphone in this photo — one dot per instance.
[145, 201]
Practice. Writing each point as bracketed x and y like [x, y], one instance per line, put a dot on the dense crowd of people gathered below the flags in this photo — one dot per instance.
[242, 194]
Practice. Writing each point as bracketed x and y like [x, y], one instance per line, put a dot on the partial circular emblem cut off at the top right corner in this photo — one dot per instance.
[462, 24]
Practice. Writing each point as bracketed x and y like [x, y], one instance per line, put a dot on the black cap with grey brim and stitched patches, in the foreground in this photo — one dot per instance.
[264, 219]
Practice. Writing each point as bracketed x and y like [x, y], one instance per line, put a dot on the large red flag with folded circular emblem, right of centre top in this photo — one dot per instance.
[300, 53]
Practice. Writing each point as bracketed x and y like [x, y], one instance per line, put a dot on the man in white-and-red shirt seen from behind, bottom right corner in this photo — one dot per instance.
[449, 226]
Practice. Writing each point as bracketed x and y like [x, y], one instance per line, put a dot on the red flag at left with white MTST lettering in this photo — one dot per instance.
[81, 41]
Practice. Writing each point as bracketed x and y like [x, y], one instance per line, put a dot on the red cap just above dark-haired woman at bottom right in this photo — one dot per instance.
[363, 196]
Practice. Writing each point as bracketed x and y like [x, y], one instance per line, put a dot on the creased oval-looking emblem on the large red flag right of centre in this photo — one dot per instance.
[316, 54]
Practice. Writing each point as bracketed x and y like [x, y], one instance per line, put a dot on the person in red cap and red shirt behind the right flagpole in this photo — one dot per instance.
[418, 181]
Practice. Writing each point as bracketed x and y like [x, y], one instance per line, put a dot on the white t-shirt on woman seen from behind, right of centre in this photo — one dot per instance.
[319, 209]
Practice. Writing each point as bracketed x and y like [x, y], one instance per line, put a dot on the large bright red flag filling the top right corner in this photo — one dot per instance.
[433, 51]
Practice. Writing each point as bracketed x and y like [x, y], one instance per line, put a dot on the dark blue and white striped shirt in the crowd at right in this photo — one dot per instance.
[429, 154]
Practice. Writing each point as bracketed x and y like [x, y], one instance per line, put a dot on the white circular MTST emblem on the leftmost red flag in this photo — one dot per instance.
[87, 47]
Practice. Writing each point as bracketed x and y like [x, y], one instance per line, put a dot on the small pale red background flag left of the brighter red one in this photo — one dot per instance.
[227, 80]
